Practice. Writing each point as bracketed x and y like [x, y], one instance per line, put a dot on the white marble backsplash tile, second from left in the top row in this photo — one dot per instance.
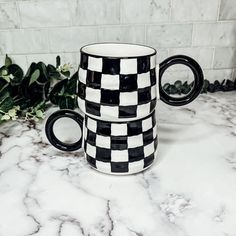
[44, 13]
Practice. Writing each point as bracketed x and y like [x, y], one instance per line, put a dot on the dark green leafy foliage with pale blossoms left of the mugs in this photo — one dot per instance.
[27, 96]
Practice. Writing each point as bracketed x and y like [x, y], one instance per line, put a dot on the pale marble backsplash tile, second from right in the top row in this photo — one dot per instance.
[194, 10]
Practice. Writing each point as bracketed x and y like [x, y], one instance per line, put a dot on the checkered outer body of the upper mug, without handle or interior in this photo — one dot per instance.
[115, 89]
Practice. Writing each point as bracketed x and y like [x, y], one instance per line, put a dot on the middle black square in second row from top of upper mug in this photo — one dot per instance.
[128, 83]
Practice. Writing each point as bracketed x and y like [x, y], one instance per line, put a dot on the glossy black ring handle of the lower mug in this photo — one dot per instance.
[50, 133]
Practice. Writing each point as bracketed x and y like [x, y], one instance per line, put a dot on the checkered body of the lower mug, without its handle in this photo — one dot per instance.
[120, 148]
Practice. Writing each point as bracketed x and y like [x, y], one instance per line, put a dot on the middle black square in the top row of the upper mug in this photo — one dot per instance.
[110, 66]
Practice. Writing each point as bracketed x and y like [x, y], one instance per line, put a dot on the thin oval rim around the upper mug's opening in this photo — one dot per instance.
[117, 57]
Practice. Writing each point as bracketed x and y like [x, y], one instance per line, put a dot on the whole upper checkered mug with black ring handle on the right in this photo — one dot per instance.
[118, 82]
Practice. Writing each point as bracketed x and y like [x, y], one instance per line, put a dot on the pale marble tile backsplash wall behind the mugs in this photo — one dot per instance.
[38, 30]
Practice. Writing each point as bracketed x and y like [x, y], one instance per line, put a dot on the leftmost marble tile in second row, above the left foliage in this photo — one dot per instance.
[23, 41]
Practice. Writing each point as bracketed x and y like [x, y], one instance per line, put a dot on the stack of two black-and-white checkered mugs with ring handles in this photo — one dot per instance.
[118, 88]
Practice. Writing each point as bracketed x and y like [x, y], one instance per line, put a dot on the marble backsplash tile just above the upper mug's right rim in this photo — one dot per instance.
[176, 35]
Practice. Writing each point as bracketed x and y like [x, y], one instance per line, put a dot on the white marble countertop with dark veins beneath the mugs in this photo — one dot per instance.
[189, 191]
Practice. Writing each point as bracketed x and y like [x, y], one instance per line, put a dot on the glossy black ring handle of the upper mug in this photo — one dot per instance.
[198, 80]
